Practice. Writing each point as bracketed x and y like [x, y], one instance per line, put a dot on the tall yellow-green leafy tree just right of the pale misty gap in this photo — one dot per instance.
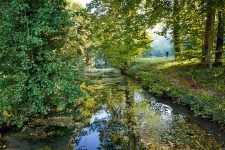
[184, 22]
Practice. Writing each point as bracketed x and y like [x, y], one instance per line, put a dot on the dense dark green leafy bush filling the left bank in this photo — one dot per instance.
[35, 73]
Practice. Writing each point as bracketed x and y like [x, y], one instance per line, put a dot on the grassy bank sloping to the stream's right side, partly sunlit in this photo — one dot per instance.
[185, 82]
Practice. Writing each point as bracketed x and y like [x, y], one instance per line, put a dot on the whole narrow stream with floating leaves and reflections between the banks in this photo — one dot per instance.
[119, 115]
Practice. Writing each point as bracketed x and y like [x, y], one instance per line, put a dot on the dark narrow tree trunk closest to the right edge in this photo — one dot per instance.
[219, 43]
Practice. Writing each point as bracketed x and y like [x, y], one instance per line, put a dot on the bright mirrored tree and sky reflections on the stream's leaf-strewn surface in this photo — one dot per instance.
[127, 118]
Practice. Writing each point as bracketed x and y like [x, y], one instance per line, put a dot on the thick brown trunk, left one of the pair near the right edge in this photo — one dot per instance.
[208, 38]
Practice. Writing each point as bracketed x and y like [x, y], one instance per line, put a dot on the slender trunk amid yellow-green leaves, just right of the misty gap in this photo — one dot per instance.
[176, 28]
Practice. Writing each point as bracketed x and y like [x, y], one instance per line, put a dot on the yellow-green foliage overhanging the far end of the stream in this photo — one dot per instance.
[119, 29]
